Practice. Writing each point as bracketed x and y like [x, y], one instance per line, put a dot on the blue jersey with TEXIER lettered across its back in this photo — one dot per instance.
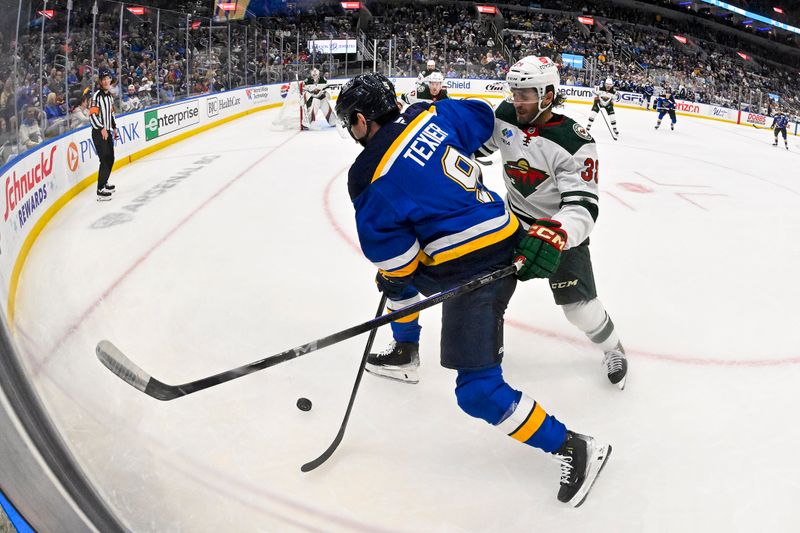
[422, 211]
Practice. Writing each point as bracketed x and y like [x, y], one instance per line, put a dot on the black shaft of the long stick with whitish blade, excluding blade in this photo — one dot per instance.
[163, 391]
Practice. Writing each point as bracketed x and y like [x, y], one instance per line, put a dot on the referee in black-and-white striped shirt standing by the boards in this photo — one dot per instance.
[104, 131]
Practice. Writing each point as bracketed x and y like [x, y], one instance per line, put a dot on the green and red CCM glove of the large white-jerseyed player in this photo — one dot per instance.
[540, 250]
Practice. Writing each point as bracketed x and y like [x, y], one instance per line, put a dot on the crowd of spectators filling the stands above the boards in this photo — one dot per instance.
[161, 61]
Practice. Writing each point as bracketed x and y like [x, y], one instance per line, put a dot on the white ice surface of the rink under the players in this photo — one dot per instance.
[252, 251]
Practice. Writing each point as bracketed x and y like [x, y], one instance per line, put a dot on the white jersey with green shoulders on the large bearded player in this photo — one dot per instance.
[550, 171]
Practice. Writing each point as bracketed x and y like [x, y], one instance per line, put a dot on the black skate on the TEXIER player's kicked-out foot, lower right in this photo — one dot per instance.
[582, 458]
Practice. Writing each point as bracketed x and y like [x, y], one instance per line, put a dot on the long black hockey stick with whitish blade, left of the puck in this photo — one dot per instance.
[118, 363]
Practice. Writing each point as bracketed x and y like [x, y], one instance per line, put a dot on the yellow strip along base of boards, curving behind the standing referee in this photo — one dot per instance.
[76, 189]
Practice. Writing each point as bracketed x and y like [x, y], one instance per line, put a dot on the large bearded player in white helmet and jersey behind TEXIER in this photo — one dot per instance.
[550, 167]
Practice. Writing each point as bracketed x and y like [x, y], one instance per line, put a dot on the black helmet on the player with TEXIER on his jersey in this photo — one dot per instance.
[372, 95]
